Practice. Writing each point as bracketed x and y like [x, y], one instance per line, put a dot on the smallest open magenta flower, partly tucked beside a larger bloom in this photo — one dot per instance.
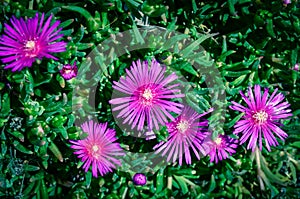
[220, 147]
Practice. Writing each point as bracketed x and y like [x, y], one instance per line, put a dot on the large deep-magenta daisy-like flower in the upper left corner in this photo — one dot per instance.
[24, 41]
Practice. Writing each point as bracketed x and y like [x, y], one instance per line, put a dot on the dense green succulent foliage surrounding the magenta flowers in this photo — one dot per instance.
[250, 42]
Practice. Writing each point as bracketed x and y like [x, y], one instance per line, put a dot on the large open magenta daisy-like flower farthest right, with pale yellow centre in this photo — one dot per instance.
[261, 117]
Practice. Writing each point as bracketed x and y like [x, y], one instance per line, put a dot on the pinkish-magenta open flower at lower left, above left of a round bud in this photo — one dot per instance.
[98, 148]
